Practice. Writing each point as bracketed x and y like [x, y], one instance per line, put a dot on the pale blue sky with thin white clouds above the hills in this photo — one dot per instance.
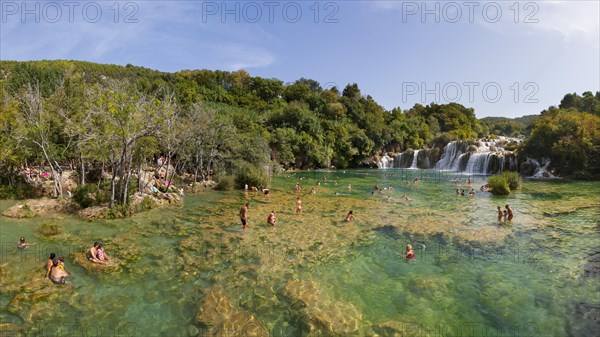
[503, 58]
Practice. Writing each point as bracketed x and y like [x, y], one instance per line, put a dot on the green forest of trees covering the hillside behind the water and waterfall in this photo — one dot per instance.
[211, 124]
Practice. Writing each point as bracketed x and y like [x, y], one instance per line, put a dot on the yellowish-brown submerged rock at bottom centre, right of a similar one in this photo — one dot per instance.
[315, 313]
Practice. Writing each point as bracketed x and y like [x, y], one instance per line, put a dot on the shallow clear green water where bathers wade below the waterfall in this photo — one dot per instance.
[471, 276]
